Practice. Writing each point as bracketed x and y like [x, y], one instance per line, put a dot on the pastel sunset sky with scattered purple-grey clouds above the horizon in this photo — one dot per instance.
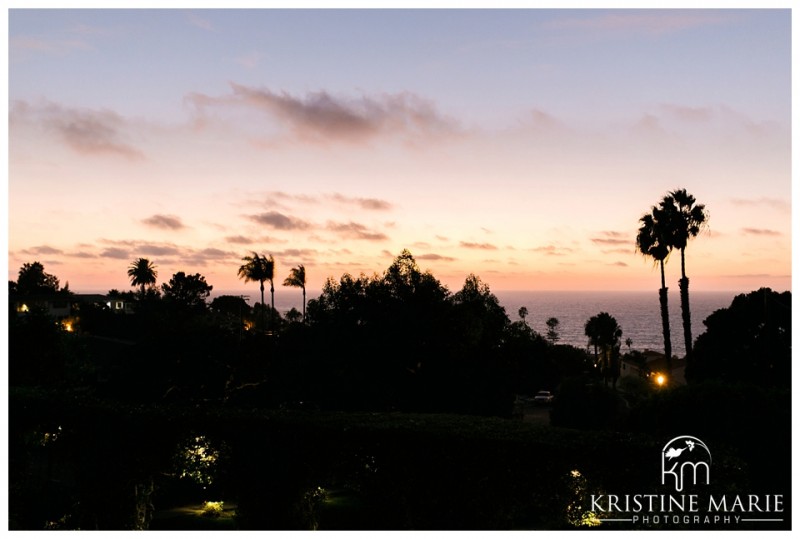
[518, 145]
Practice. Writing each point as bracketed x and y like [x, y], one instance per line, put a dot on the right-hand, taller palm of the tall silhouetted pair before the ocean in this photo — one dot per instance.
[685, 221]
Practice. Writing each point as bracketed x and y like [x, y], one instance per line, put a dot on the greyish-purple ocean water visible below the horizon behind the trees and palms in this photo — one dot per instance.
[637, 313]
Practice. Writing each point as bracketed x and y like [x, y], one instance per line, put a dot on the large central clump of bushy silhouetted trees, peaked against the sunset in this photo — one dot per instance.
[402, 340]
